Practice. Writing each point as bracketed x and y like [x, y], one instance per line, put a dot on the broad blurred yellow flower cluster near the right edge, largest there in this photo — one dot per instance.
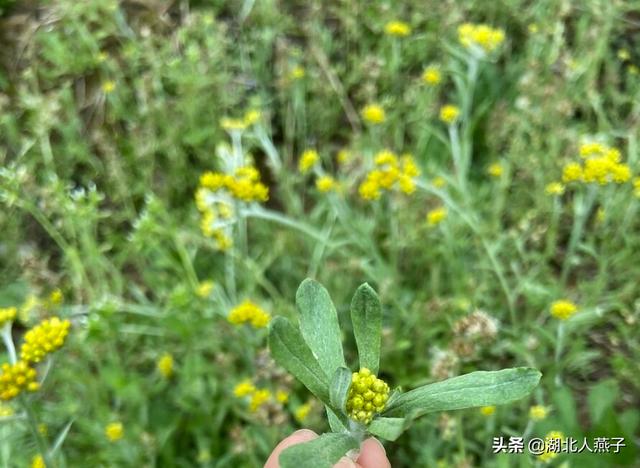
[601, 165]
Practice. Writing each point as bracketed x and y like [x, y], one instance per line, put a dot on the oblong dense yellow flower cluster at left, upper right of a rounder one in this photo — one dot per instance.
[43, 339]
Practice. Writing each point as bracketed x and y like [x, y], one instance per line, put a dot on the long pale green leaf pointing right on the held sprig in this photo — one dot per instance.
[467, 391]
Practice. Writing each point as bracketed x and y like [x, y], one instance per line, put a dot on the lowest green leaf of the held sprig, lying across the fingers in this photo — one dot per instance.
[322, 452]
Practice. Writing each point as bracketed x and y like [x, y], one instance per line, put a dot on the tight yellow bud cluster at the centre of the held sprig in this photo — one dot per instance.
[368, 395]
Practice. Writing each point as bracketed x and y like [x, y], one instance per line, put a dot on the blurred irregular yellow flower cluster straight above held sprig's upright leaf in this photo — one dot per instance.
[390, 172]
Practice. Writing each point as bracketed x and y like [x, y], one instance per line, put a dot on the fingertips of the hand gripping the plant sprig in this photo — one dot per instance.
[372, 453]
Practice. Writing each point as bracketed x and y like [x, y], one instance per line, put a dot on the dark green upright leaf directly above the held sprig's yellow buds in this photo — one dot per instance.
[366, 316]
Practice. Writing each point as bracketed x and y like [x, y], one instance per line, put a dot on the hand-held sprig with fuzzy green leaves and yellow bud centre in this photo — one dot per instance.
[360, 404]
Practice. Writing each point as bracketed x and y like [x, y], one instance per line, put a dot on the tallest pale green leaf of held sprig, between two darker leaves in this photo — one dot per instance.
[319, 325]
